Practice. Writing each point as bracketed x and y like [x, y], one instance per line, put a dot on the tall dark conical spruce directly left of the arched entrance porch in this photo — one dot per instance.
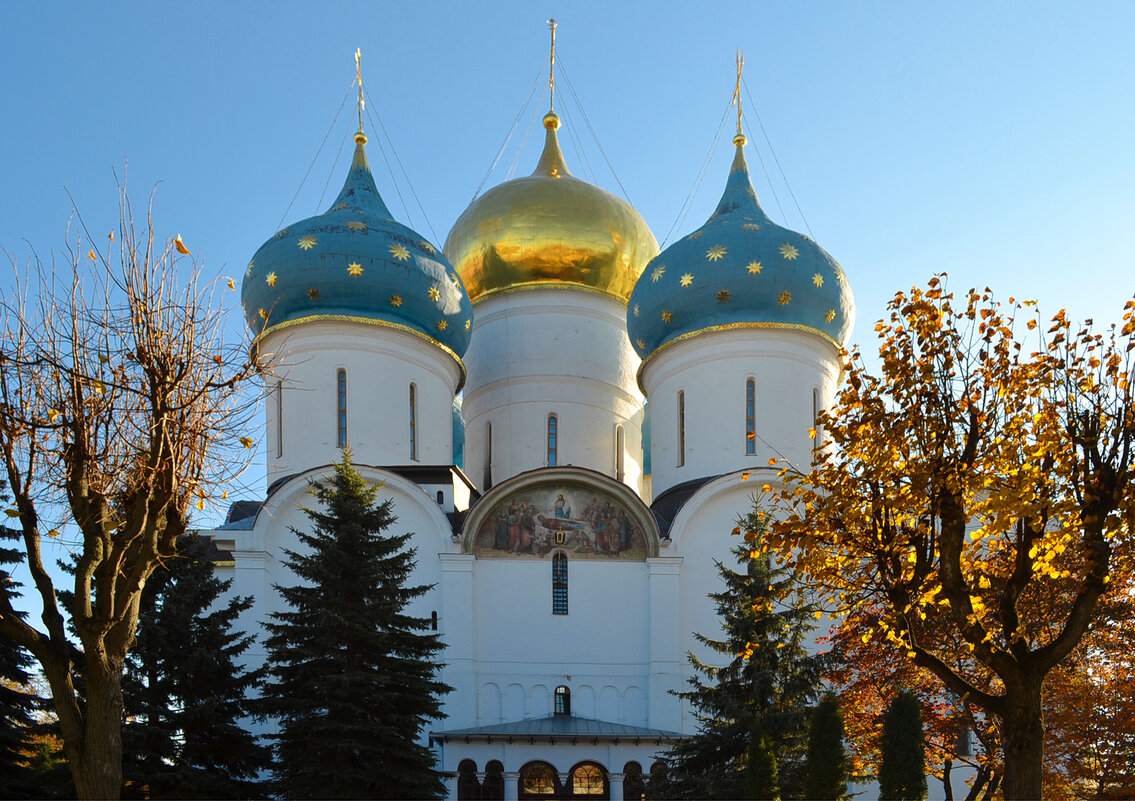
[354, 676]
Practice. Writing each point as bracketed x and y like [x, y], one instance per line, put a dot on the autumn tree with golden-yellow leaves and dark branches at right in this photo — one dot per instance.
[977, 498]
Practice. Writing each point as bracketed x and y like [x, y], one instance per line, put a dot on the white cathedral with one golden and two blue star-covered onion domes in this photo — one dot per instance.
[569, 421]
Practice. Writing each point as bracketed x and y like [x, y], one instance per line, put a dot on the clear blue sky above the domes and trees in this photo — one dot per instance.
[993, 141]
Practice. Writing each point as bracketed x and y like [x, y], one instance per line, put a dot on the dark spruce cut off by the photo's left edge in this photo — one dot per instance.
[19, 704]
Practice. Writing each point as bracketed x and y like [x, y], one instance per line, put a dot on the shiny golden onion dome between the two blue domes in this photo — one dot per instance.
[550, 230]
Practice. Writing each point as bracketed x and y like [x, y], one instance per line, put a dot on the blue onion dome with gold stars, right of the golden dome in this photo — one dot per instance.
[739, 271]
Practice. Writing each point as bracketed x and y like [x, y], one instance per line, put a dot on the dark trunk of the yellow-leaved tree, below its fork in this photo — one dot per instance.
[1023, 740]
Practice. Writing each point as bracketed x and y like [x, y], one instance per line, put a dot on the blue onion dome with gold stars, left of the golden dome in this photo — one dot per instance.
[356, 263]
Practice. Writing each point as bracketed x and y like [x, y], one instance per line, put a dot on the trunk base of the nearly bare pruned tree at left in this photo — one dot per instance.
[99, 772]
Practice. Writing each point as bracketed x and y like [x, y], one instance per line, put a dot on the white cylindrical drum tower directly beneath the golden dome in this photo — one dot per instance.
[543, 352]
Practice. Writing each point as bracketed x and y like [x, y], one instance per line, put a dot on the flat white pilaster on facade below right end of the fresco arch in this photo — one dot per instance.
[666, 710]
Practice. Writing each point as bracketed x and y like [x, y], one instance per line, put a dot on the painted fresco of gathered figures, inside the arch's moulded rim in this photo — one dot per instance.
[541, 521]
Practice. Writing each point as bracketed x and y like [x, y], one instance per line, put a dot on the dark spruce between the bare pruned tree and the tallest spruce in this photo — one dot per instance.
[186, 694]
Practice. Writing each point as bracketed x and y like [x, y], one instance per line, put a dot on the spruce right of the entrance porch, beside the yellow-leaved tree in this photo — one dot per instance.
[768, 687]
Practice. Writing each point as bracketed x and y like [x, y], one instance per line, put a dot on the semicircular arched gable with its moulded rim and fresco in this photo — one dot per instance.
[571, 510]
